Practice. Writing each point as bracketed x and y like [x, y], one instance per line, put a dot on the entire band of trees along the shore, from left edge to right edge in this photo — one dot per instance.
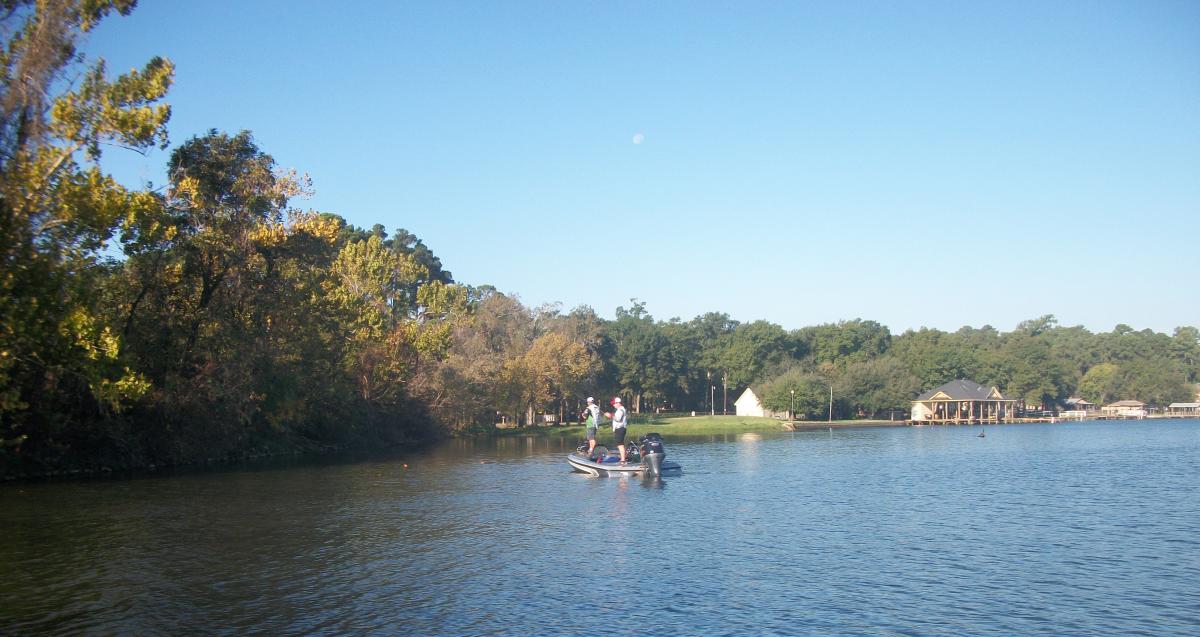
[211, 318]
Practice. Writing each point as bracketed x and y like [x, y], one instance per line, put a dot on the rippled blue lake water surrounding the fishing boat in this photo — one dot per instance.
[1039, 530]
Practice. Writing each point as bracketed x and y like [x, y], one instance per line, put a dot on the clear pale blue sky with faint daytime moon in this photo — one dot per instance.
[916, 164]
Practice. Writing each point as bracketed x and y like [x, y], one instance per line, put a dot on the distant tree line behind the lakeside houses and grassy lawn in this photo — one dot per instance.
[704, 364]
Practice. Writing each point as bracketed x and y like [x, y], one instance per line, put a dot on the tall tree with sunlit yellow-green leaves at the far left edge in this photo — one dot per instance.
[61, 369]
